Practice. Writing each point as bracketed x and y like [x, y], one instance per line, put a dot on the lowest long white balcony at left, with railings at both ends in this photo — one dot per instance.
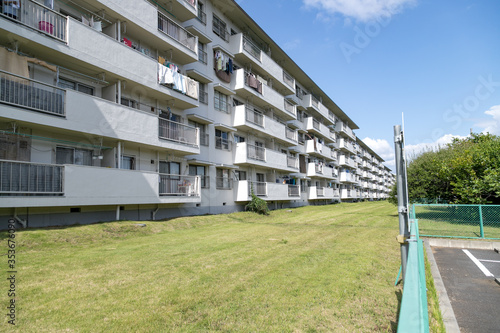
[48, 185]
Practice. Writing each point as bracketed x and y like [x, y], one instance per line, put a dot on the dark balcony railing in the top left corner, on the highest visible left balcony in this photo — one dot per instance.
[39, 17]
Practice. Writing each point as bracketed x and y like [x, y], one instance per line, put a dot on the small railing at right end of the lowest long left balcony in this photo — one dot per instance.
[179, 185]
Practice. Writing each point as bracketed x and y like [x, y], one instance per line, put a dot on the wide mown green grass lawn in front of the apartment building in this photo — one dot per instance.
[312, 269]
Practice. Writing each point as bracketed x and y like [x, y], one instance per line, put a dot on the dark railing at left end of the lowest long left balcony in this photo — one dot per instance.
[24, 178]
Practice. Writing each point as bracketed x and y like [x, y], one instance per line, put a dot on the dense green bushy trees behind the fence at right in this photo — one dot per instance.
[466, 171]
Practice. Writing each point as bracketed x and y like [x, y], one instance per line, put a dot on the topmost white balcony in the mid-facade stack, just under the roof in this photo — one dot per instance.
[246, 51]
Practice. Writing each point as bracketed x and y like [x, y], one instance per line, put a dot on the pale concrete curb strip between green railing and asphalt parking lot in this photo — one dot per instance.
[449, 319]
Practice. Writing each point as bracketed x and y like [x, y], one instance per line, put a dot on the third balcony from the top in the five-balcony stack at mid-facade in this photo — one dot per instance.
[251, 119]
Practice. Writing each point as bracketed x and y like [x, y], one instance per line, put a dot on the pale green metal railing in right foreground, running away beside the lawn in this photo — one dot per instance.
[413, 314]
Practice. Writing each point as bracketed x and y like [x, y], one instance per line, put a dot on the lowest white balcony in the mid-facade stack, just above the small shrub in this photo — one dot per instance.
[266, 191]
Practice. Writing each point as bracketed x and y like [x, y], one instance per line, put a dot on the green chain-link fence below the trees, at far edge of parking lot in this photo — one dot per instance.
[459, 221]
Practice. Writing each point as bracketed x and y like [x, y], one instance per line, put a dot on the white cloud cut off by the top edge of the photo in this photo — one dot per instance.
[362, 10]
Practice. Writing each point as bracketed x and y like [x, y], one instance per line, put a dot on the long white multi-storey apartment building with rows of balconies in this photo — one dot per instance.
[121, 109]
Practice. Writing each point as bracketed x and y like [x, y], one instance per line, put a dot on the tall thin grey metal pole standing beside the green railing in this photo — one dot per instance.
[402, 196]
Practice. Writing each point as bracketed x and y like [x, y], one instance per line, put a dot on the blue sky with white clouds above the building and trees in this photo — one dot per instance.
[436, 61]
